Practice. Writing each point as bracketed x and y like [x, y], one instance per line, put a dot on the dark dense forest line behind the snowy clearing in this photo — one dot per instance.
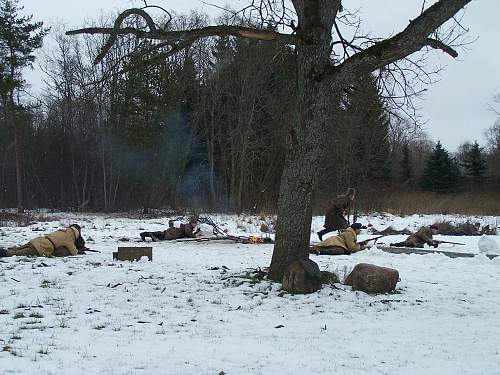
[203, 129]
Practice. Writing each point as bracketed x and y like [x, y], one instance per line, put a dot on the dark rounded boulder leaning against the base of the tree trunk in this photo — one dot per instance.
[302, 277]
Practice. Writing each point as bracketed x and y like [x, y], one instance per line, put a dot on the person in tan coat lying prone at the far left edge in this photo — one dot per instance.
[62, 242]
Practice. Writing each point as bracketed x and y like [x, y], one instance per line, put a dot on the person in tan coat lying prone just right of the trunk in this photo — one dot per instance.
[342, 244]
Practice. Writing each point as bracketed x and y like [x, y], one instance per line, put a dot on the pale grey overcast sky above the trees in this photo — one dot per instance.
[456, 107]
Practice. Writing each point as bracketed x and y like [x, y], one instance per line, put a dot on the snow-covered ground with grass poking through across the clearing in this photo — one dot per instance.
[193, 311]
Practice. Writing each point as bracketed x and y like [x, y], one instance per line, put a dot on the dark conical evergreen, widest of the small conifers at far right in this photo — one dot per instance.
[441, 173]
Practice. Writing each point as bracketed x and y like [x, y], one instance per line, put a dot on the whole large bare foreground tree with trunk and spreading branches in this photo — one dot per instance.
[312, 22]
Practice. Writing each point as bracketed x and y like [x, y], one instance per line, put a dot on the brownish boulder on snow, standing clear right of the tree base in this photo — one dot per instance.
[370, 278]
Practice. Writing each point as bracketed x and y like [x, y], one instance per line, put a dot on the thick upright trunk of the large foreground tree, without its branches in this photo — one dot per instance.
[305, 137]
